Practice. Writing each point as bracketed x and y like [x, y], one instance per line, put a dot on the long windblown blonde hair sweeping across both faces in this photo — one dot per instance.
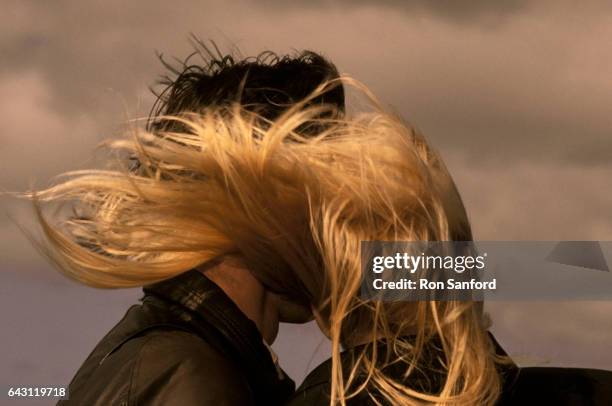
[296, 209]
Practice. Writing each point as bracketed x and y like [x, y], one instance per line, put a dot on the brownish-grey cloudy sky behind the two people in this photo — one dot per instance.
[515, 94]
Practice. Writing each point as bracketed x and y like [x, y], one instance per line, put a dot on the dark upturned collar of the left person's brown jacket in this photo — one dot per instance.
[207, 310]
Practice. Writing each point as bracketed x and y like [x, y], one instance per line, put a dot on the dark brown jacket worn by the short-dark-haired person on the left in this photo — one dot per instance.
[186, 344]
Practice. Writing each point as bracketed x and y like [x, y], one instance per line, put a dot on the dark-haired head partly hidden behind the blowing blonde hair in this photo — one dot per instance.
[265, 86]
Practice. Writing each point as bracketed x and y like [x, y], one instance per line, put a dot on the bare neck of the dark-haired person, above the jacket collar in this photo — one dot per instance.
[251, 297]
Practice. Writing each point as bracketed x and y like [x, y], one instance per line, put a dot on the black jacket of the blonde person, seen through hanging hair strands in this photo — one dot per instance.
[521, 386]
